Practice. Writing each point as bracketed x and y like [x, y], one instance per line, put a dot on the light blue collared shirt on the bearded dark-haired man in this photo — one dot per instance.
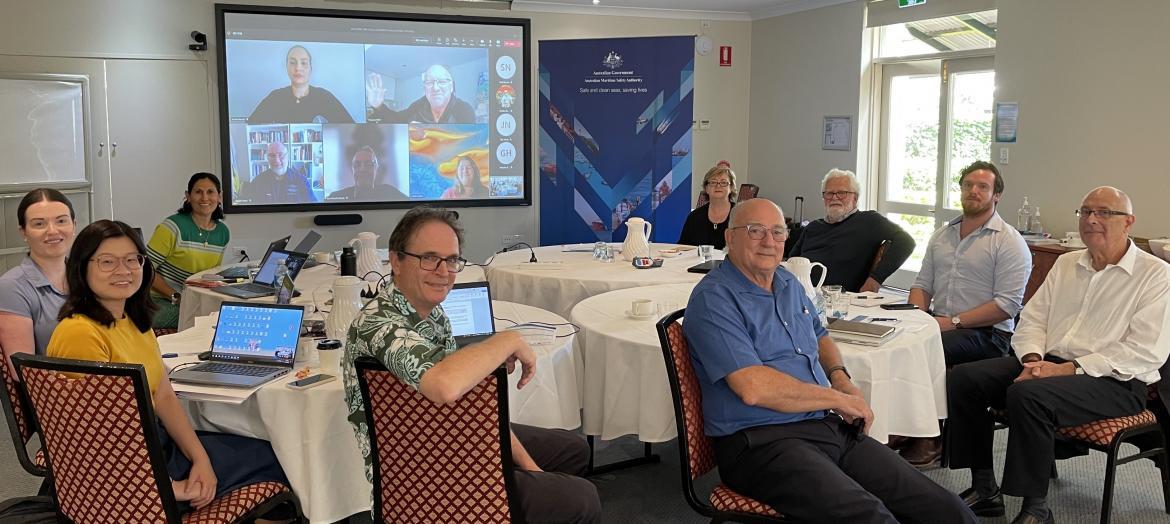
[992, 264]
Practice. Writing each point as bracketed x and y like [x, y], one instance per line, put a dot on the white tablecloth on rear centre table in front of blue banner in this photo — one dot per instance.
[579, 277]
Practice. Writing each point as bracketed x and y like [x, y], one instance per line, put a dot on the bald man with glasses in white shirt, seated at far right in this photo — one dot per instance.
[1090, 341]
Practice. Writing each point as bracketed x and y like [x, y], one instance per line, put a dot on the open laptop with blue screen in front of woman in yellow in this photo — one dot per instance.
[254, 343]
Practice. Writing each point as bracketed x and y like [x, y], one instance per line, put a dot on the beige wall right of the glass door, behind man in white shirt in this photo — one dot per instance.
[1093, 84]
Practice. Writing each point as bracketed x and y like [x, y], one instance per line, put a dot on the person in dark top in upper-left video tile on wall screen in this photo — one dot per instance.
[300, 104]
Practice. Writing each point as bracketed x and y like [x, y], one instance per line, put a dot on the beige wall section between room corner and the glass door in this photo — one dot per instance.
[806, 66]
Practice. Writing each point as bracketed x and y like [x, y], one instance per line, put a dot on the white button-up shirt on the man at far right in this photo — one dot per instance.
[1112, 322]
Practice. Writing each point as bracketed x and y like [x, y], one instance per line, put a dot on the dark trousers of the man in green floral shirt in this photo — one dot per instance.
[559, 494]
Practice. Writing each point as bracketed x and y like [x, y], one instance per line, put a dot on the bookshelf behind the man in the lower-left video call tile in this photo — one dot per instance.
[302, 141]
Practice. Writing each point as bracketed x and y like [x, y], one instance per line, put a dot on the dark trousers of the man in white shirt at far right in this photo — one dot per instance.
[1035, 408]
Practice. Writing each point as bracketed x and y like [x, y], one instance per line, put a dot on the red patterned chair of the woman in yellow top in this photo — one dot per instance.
[99, 428]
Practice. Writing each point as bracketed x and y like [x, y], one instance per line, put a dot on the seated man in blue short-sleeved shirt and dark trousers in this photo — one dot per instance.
[788, 424]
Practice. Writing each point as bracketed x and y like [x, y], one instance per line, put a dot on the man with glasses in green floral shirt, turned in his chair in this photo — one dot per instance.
[408, 330]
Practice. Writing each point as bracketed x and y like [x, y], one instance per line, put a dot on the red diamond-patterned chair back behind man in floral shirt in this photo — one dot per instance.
[438, 463]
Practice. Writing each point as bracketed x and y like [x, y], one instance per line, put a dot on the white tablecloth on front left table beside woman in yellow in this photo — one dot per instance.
[315, 444]
